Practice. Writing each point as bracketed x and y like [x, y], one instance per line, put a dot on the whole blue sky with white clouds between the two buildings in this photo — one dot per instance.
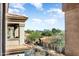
[40, 15]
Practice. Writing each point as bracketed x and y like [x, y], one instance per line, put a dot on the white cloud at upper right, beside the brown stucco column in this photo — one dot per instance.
[55, 13]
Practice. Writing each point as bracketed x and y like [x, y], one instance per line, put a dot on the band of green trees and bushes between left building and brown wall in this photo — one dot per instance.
[58, 41]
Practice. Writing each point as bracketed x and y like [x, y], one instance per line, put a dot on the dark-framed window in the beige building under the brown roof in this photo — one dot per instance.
[13, 31]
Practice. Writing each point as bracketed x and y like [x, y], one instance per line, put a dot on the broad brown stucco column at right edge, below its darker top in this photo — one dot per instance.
[72, 32]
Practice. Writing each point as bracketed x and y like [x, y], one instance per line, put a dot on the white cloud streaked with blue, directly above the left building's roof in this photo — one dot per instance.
[17, 8]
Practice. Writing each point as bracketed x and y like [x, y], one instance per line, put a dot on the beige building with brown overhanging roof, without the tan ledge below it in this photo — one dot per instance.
[15, 29]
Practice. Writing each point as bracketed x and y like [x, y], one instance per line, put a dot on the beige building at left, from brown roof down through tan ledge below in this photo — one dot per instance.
[15, 32]
